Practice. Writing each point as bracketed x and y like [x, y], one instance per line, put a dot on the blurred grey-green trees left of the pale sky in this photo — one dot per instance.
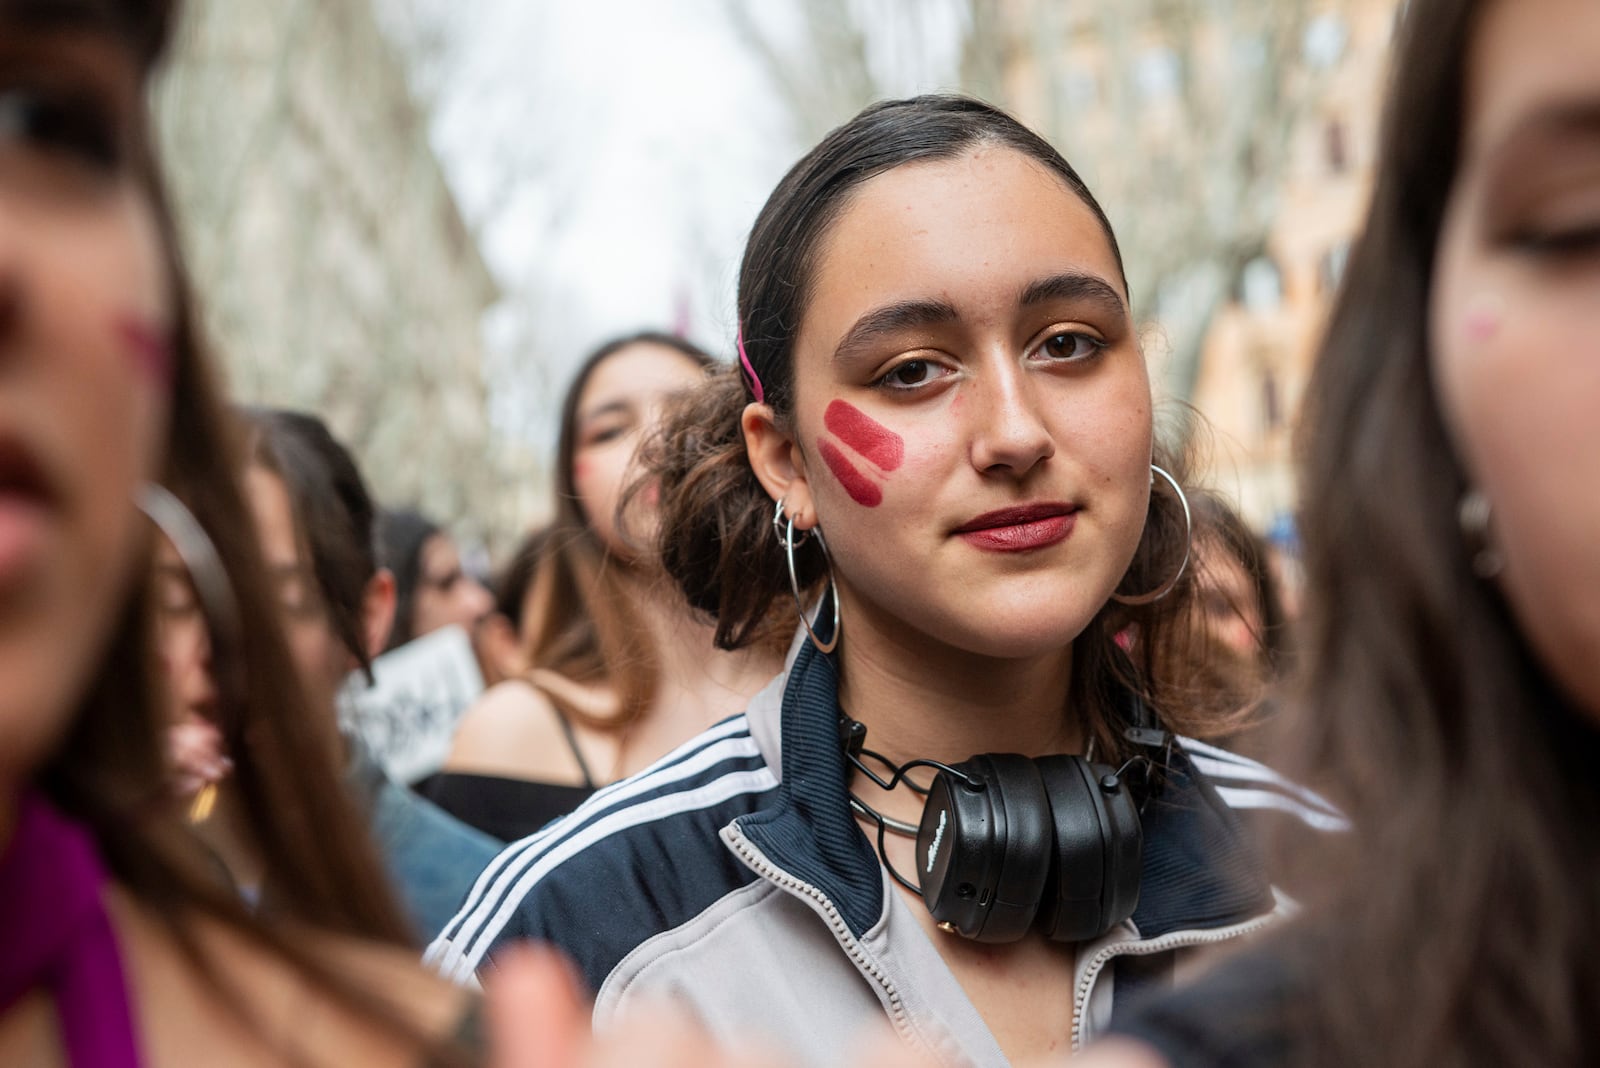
[334, 266]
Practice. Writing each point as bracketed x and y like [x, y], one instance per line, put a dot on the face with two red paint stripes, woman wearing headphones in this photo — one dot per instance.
[972, 408]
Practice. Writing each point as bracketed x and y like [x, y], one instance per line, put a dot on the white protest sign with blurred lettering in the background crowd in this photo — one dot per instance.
[409, 715]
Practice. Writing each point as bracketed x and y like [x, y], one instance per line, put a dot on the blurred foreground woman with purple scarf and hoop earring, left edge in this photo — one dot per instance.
[121, 947]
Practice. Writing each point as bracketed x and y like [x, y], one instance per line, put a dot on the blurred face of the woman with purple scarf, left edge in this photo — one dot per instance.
[86, 365]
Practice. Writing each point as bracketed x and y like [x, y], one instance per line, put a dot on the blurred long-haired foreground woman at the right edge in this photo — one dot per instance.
[1454, 602]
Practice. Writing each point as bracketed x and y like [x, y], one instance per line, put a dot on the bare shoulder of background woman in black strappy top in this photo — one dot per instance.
[514, 731]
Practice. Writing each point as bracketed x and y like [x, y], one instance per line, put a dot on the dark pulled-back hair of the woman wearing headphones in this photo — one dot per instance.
[716, 528]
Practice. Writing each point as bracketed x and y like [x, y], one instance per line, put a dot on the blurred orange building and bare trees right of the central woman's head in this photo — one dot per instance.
[1233, 140]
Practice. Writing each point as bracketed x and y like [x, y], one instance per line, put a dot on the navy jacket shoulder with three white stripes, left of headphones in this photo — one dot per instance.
[642, 856]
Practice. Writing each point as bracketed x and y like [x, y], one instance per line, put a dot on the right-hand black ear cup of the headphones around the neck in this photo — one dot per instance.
[1098, 850]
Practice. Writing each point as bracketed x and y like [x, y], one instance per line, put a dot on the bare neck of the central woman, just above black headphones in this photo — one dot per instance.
[924, 699]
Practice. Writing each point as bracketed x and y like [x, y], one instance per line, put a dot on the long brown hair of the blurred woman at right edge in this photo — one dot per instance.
[1470, 779]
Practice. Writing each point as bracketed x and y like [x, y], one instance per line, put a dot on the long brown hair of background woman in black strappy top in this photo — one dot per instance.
[580, 618]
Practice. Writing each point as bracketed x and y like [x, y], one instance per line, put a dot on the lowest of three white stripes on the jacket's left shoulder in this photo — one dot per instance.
[481, 931]
